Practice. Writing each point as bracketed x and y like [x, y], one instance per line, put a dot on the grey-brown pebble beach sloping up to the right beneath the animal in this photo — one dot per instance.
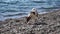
[48, 23]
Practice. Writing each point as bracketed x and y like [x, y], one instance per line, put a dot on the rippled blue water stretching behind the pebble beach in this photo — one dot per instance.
[19, 8]
